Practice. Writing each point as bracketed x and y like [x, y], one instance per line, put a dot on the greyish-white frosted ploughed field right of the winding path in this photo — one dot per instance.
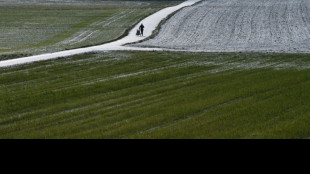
[238, 25]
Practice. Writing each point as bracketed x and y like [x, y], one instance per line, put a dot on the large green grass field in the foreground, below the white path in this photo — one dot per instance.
[158, 95]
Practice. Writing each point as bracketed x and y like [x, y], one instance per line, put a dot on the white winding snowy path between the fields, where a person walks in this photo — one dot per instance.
[150, 24]
